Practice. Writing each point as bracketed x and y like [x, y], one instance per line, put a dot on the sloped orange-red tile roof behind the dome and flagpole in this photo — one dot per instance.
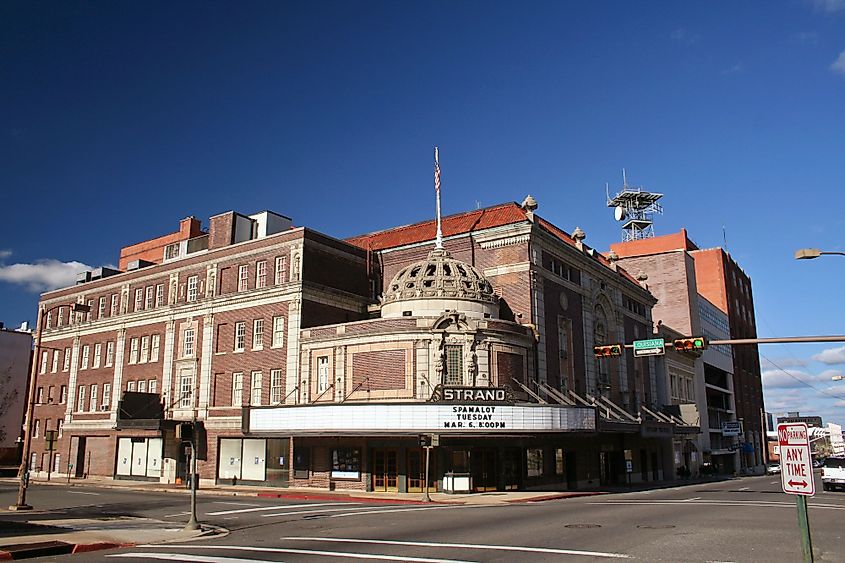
[489, 217]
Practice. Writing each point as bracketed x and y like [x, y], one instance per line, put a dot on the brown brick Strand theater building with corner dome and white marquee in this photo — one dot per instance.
[313, 361]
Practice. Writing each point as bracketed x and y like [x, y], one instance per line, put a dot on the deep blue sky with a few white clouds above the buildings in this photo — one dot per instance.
[120, 118]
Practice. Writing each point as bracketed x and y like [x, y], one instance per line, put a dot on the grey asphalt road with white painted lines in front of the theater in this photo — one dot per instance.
[740, 520]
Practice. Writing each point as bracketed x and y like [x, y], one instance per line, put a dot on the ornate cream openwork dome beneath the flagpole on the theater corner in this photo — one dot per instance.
[442, 279]
